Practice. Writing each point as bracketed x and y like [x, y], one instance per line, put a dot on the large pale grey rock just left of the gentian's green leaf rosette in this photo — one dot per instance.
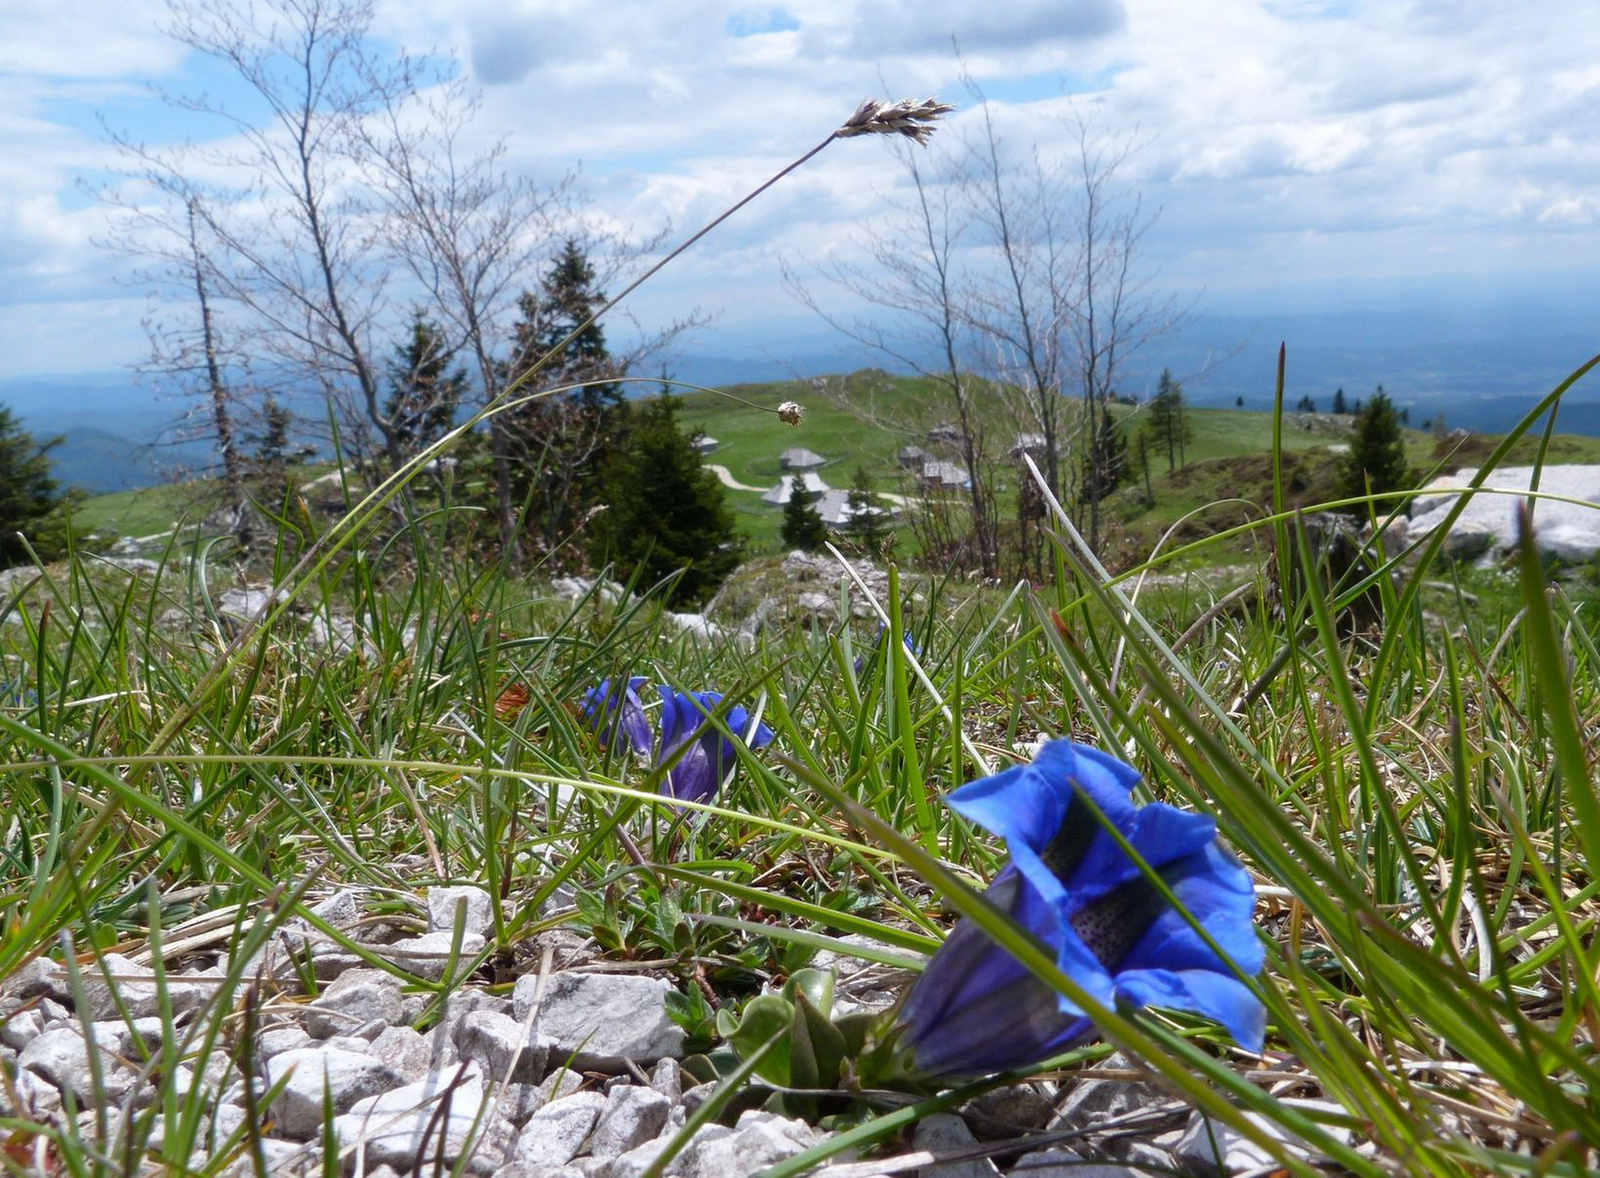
[602, 1020]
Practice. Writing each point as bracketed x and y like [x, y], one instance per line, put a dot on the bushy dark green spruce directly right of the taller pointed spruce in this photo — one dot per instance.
[666, 511]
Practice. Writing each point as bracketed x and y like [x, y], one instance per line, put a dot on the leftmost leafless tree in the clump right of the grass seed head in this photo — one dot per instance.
[910, 268]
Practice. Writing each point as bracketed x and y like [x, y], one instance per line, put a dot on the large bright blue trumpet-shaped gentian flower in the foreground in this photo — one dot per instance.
[977, 1009]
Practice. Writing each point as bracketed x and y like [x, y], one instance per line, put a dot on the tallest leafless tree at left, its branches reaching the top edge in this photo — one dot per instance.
[298, 249]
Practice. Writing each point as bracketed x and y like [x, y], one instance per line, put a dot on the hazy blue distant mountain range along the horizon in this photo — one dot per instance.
[1479, 371]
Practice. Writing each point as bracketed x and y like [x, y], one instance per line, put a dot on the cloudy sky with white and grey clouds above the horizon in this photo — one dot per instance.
[1303, 154]
